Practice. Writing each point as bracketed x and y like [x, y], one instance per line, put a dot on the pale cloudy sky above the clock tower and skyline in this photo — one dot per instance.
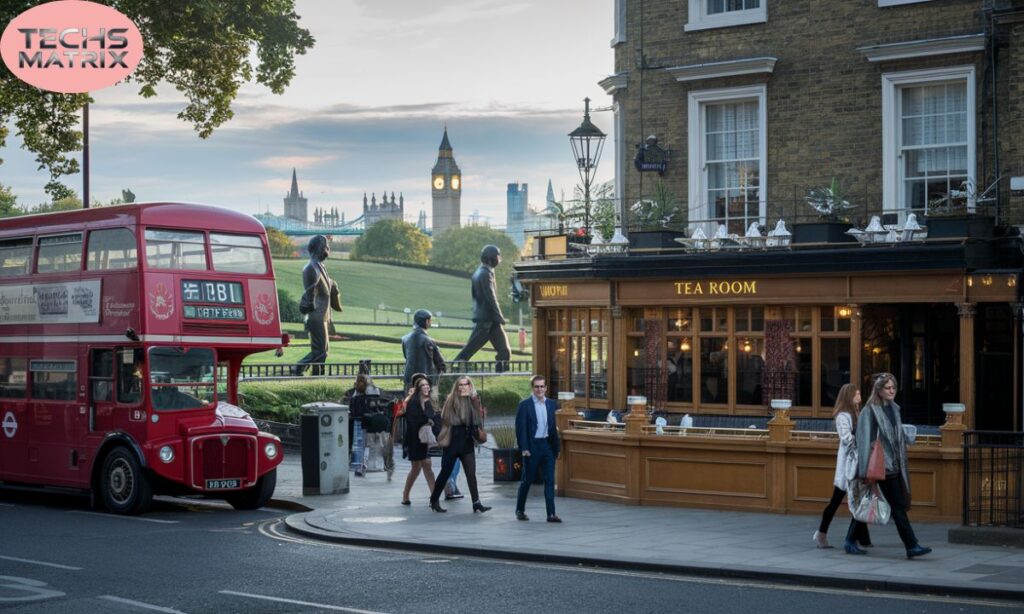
[366, 113]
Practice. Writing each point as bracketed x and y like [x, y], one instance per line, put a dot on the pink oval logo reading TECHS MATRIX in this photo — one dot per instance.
[71, 47]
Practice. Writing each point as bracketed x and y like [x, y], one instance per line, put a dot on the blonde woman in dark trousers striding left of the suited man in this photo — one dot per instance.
[462, 428]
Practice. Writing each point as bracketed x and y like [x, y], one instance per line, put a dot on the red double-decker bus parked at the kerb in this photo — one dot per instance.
[122, 333]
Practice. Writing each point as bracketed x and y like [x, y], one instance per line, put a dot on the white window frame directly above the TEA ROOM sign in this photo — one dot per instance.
[699, 209]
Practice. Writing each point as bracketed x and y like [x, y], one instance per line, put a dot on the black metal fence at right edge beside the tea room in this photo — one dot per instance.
[994, 479]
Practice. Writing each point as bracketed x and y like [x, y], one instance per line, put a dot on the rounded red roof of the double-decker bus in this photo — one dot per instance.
[172, 215]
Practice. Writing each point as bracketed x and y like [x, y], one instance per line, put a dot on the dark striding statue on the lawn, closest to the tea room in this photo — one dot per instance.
[488, 320]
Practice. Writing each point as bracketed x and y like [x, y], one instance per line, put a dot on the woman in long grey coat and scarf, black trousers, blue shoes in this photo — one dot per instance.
[880, 420]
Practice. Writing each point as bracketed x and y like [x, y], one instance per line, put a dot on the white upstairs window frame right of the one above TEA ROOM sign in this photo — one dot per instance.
[892, 168]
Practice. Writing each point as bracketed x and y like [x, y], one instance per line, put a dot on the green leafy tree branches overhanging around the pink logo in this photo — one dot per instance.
[204, 49]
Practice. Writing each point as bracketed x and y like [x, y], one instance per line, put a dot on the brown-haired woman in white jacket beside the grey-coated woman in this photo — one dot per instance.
[845, 416]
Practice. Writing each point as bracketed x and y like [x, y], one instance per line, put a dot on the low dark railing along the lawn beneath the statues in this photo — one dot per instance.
[378, 370]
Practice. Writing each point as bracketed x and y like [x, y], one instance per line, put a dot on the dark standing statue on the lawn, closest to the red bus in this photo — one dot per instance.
[319, 299]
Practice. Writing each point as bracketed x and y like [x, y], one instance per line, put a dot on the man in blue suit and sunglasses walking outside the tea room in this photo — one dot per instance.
[538, 437]
